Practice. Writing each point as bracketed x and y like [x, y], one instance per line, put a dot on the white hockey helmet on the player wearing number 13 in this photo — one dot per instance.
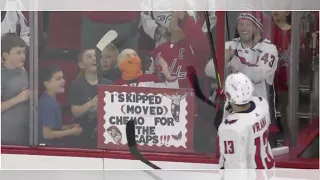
[239, 89]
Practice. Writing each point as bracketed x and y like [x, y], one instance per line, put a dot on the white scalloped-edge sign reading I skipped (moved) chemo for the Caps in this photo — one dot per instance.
[160, 119]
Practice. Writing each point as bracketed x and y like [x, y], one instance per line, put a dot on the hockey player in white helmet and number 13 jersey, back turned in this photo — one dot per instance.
[243, 133]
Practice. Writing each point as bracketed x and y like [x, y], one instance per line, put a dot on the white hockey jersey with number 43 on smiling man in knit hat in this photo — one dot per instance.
[259, 63]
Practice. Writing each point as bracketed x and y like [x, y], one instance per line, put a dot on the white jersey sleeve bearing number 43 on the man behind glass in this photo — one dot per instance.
[268, 64]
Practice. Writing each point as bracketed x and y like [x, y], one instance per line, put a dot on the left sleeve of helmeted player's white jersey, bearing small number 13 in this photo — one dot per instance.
[233, 147]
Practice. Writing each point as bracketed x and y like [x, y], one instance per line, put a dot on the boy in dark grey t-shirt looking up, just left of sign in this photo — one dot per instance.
[84, 100]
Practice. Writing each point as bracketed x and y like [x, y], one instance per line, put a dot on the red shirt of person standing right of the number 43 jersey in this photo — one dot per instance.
[282, 40]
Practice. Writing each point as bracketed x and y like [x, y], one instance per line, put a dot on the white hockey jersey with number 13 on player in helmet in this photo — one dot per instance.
[243, 138]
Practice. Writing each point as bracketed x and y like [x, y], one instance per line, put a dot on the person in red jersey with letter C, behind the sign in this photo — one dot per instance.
[187, 46]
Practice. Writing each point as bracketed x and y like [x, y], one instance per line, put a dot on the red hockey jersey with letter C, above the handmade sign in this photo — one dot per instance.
[192, 51]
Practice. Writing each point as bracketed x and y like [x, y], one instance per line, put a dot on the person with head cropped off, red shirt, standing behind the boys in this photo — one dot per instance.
[96, 23]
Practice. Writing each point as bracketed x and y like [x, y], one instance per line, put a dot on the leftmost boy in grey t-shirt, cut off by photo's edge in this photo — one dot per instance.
[14, 92]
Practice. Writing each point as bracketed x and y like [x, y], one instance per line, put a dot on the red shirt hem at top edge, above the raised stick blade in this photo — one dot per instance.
[112, 17]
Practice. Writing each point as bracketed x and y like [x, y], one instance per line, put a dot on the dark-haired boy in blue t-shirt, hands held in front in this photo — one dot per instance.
[51, 128]
